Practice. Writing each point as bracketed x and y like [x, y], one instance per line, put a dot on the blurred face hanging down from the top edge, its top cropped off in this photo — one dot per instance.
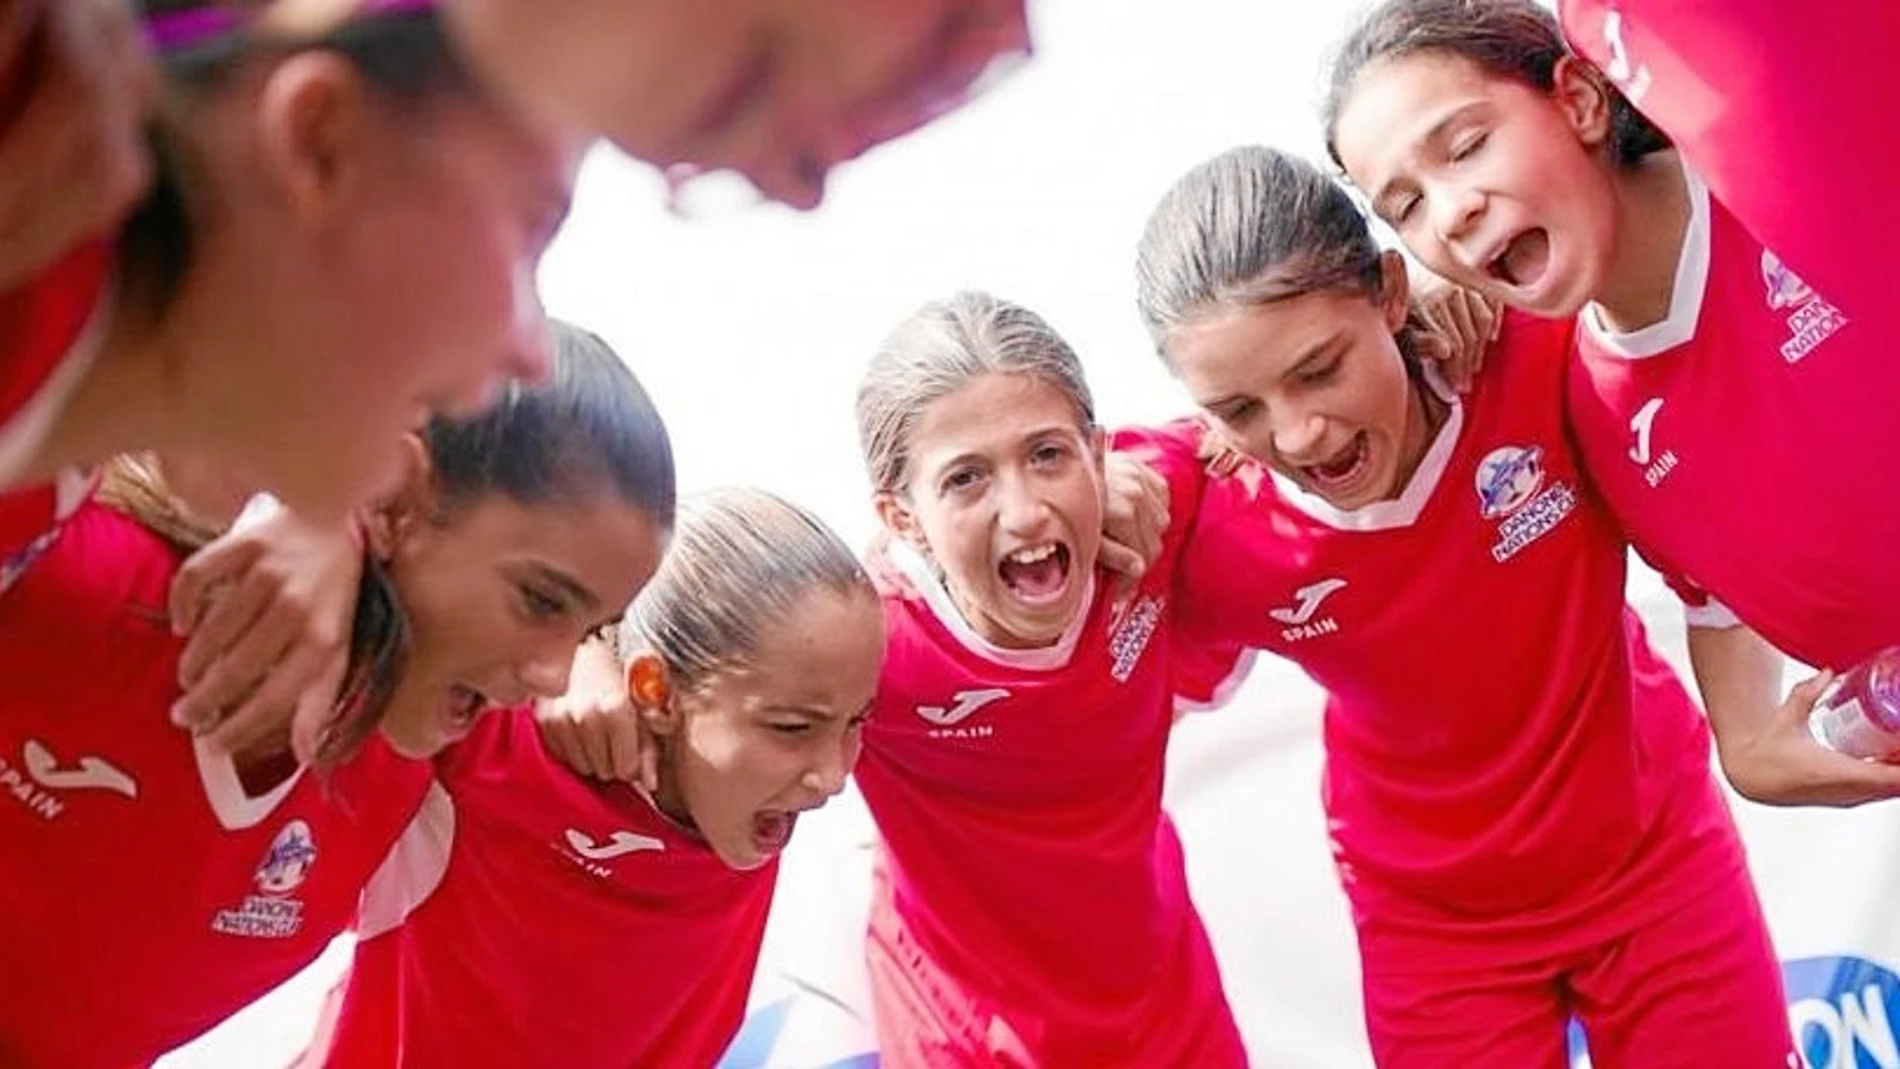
[774, 90]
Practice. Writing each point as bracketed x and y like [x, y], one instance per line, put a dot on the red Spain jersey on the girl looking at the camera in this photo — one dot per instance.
[1033, 903]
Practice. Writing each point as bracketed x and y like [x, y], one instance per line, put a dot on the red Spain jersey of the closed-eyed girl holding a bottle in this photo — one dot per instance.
[1747, 445]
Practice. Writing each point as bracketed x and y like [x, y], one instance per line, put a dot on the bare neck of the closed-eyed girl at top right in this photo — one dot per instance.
[1652, 225]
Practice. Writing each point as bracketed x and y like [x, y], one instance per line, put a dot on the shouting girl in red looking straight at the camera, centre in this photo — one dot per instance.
[1031, 895]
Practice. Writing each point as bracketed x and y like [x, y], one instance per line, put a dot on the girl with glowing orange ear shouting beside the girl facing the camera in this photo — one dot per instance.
[751, 660]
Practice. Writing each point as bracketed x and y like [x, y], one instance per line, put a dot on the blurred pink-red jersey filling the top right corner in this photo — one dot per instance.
[1787, 111]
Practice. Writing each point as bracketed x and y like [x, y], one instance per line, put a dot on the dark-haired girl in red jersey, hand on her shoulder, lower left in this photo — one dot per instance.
[153, 884]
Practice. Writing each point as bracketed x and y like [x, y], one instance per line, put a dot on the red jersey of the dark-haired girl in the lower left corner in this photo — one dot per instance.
[147, 891]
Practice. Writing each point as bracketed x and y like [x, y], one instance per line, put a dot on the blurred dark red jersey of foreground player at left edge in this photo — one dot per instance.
[50, 331]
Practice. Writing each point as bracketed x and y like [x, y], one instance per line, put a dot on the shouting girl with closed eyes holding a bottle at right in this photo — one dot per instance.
[1707, 373]
